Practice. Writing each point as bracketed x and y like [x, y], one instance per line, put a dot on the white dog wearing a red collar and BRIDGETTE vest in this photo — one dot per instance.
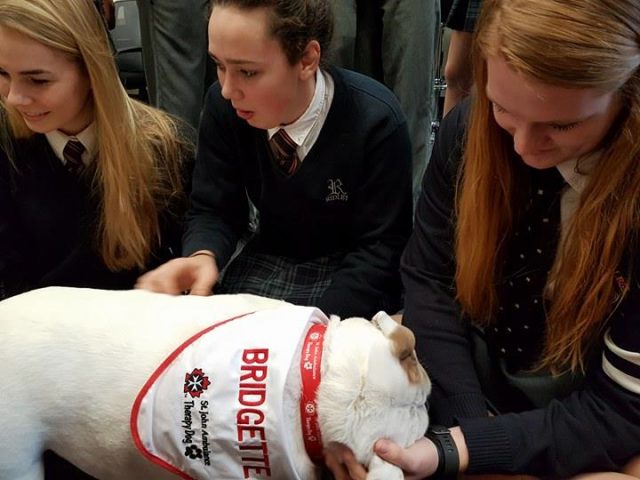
[138, 385]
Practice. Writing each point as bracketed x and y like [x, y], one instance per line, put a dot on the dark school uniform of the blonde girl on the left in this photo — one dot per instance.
[48, 219]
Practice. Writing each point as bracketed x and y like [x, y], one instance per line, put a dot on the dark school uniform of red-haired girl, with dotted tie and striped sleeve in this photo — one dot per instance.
[572, 424]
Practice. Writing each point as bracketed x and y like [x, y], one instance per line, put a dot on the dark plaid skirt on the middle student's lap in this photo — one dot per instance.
[275, 276]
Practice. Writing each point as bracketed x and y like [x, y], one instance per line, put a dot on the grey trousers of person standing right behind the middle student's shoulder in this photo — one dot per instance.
[394, 41]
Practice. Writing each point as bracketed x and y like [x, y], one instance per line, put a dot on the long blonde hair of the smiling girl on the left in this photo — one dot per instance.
[140, 149]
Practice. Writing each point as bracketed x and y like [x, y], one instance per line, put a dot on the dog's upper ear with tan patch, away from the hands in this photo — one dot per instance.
[403, 344]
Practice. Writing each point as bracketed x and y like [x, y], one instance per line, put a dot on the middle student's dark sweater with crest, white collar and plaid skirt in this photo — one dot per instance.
[328, 235]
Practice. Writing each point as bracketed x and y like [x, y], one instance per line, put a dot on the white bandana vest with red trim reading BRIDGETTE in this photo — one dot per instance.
[214, 408]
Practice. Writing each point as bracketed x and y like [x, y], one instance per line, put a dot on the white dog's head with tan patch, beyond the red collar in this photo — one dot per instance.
[372, 386]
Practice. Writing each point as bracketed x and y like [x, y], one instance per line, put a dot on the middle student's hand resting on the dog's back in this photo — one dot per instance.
[197, 274]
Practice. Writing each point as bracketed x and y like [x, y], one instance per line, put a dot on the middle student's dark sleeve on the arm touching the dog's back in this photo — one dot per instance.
[218, 208]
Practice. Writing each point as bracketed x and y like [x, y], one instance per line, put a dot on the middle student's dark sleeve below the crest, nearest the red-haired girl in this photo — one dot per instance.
[367, 279]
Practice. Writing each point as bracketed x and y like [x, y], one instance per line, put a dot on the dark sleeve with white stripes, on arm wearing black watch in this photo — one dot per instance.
[593, 429]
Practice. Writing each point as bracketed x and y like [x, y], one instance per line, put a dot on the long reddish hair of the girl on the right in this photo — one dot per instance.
[571, 44]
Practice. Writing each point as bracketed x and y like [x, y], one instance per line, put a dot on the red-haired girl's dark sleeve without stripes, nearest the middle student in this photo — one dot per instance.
[428, 268]
